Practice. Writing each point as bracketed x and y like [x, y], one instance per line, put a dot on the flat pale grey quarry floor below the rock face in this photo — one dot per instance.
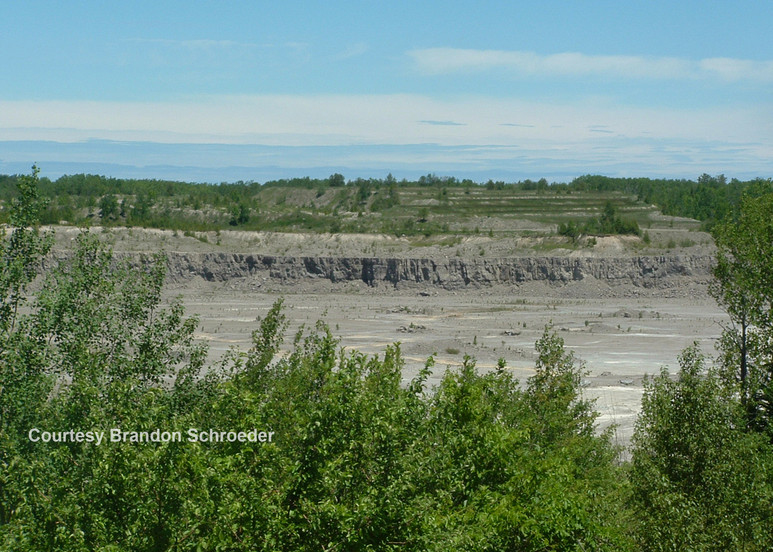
[621, 334]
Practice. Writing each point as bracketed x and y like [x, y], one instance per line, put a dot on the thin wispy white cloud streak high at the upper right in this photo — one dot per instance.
[456, 60]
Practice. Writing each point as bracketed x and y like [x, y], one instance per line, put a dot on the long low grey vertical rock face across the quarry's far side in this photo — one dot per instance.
[451, 273]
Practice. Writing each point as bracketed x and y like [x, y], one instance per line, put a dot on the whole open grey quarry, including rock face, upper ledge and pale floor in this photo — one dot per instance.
[624, 312]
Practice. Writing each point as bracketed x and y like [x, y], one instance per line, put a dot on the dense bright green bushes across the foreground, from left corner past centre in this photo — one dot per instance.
[360, 462]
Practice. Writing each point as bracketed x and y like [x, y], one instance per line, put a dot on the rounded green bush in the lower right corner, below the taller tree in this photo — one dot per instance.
[699, 481]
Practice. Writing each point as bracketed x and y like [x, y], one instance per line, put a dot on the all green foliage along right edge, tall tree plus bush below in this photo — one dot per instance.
[702, 470]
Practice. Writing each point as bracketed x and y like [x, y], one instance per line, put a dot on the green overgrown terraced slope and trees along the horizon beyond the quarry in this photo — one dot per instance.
[378, 205]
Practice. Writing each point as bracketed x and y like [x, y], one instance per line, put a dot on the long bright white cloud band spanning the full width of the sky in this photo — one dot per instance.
[374, 119]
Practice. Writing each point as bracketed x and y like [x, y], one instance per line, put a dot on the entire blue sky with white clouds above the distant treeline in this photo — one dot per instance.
[252, 90]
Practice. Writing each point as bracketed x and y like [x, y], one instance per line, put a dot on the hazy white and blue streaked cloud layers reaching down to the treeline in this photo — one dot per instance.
[387, 131]
